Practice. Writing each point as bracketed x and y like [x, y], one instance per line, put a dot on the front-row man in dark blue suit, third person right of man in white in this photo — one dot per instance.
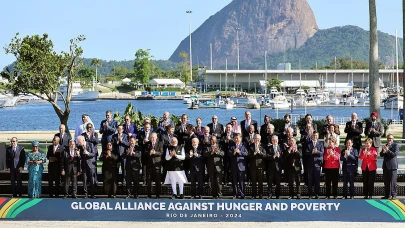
[238, 153]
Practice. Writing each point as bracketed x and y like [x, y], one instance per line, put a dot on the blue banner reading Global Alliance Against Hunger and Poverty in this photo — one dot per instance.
[202, 210]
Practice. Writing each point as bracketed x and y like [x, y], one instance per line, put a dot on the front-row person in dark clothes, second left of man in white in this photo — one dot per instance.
[132, 156]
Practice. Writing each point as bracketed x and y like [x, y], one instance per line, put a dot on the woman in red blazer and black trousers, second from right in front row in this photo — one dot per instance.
[368, 156]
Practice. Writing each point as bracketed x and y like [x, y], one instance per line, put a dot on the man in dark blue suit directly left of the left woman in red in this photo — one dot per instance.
[314, 152]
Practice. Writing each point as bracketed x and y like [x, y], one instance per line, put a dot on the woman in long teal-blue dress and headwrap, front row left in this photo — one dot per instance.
[35, 160]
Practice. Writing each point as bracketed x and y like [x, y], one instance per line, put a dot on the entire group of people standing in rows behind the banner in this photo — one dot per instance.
[237, 152]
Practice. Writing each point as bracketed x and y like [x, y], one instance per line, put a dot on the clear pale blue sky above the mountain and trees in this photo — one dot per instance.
[114, 30]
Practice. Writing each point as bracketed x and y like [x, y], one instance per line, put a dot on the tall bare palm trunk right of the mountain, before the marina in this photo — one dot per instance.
[373, 61]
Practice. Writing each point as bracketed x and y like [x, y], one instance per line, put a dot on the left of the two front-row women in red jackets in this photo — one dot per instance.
[331, 167]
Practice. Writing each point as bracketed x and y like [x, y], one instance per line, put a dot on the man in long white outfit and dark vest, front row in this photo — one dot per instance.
[175, 169]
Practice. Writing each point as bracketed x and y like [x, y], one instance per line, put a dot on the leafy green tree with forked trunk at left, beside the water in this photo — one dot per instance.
[38, 70]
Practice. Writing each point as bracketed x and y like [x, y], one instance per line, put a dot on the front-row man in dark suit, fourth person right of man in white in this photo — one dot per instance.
[256, 155]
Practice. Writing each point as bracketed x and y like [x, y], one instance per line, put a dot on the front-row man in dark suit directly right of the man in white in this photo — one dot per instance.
[197, 168]
